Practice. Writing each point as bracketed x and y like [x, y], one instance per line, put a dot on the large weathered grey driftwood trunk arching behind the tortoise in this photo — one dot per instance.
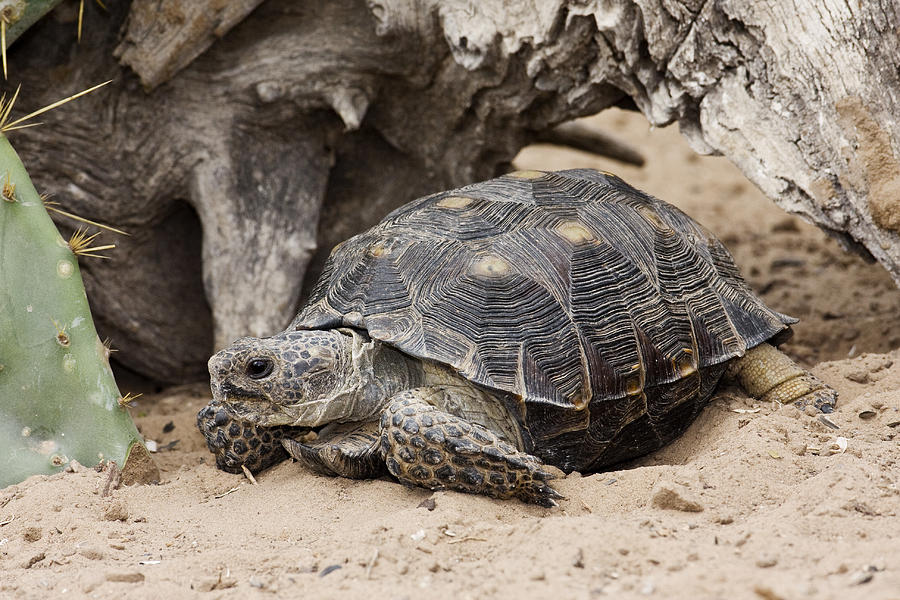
[308, 121]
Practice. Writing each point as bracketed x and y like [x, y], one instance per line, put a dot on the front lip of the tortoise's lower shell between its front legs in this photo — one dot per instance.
[345, 450]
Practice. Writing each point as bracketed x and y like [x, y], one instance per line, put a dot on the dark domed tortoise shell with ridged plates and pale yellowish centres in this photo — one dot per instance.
[563, 289]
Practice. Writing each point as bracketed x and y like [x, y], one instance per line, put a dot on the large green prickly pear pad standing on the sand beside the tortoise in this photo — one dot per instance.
[58, 398]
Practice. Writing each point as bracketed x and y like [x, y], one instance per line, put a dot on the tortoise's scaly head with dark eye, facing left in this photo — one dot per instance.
[296, 378]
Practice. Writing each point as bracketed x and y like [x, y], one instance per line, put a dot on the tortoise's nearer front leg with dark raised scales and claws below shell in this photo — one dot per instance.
[426, 447]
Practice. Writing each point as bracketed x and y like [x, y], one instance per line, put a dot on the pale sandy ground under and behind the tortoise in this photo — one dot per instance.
[754, 501]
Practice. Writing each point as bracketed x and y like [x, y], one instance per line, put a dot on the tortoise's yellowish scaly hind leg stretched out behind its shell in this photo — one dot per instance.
[768, 374]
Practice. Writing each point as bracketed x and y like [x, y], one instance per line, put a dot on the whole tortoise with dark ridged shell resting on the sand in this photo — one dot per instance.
[477, 335]
